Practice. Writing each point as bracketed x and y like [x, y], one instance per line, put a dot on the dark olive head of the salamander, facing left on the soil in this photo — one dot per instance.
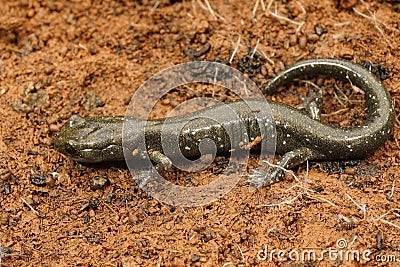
[91, 140]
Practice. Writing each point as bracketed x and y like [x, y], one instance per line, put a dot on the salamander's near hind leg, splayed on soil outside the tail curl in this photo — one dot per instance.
[276, 172]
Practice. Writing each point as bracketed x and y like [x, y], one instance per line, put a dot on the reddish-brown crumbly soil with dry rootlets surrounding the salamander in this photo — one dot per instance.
[60, 58]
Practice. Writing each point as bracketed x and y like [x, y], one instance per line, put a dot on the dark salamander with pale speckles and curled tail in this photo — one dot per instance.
[300, 136]
